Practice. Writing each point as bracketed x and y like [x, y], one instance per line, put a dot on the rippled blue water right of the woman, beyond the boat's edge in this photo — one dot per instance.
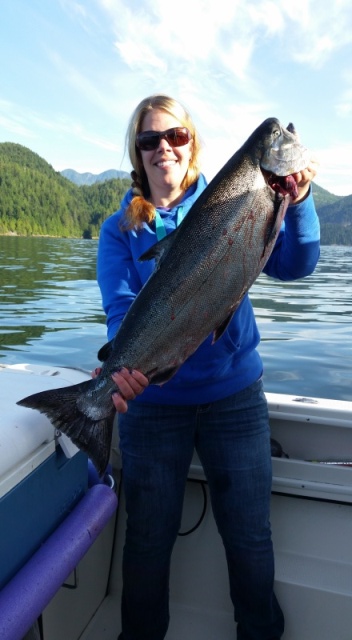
[306, 329]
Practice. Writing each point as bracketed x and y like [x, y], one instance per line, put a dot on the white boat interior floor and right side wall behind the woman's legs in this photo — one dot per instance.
[312, 531]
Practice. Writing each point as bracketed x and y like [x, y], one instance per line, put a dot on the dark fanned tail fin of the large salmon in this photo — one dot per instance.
[62, 407]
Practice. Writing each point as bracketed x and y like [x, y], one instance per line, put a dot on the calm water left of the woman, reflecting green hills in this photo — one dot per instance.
[48, 285]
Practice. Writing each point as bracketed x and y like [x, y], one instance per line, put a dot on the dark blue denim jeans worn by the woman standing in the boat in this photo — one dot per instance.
[232, 439]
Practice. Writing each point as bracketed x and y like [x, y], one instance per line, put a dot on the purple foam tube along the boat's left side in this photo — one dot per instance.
[24, 598]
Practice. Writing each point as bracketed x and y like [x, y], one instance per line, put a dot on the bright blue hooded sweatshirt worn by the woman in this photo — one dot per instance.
[217, 370]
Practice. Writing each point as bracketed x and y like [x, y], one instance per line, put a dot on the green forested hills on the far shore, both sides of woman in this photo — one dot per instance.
[37, 200]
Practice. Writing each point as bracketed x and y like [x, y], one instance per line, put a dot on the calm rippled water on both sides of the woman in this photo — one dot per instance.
[50, 312]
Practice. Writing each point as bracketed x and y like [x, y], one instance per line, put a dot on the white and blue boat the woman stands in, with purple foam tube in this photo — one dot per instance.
[62, 528]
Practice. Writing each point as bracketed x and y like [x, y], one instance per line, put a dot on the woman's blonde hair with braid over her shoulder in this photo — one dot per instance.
[140, 209]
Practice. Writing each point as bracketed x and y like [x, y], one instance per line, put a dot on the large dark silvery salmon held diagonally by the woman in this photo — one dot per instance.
[204, 269]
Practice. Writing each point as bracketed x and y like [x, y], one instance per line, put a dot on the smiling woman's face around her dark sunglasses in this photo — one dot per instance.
[165, 166]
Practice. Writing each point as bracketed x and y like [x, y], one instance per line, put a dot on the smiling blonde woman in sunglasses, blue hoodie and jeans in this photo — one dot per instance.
[214, 403]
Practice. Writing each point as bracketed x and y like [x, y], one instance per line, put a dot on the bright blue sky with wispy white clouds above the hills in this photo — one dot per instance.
[72, 72]
